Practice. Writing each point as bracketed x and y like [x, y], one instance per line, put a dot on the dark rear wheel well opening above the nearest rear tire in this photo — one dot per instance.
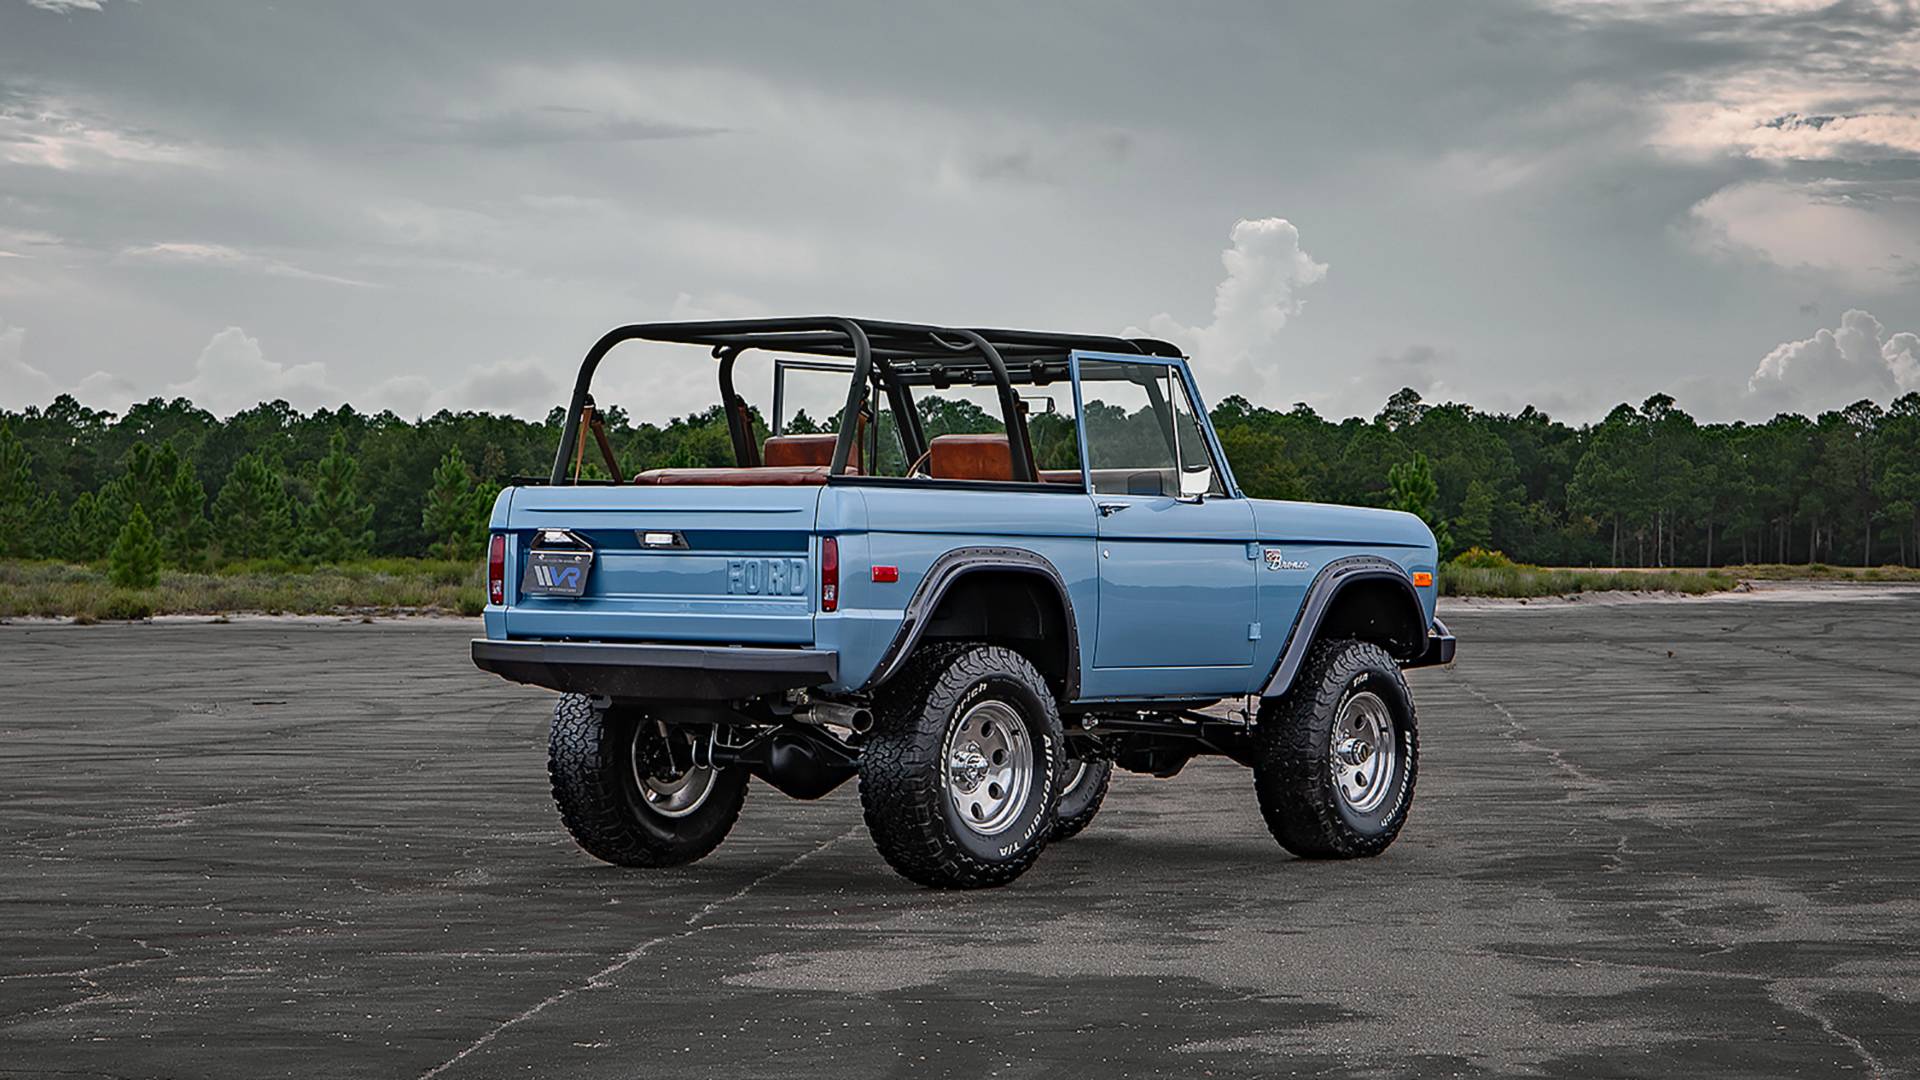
[1020, 610]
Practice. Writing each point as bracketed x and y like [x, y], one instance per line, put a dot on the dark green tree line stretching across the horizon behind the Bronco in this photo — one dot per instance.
[170, 485]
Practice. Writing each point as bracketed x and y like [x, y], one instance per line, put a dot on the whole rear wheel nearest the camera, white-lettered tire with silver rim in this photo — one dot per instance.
[963, 768]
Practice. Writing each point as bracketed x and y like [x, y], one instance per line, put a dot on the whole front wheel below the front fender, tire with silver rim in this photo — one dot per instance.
[1339, 754]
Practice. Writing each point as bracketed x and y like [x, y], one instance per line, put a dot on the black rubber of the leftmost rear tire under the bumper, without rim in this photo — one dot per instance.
[590, 760]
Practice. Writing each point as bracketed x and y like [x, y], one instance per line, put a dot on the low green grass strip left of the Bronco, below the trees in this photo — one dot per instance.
[47, 589]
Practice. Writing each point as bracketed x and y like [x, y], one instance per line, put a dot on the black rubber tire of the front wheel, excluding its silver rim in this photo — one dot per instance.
[1295, 766]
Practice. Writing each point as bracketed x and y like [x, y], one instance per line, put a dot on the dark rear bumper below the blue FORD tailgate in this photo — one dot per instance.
[656, 674]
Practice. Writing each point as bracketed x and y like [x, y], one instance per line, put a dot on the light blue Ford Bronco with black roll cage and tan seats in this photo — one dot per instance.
[1003, 566]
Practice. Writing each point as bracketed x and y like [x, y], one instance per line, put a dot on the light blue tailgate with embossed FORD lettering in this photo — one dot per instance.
[727, 566]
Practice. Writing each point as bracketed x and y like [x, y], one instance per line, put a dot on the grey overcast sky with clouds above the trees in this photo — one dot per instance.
[425, 207]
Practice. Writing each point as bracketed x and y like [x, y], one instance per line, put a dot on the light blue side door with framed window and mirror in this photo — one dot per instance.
[1174, 547]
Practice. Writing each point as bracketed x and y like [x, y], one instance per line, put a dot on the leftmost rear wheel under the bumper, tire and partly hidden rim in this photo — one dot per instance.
[629, 791]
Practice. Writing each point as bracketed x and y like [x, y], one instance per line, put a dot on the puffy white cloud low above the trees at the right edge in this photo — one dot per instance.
[1833, 368]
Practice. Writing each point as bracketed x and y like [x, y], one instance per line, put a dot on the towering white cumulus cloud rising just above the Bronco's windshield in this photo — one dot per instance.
[1266, 272]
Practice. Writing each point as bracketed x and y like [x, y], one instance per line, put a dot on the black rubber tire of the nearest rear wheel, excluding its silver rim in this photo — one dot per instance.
[903, 775]
